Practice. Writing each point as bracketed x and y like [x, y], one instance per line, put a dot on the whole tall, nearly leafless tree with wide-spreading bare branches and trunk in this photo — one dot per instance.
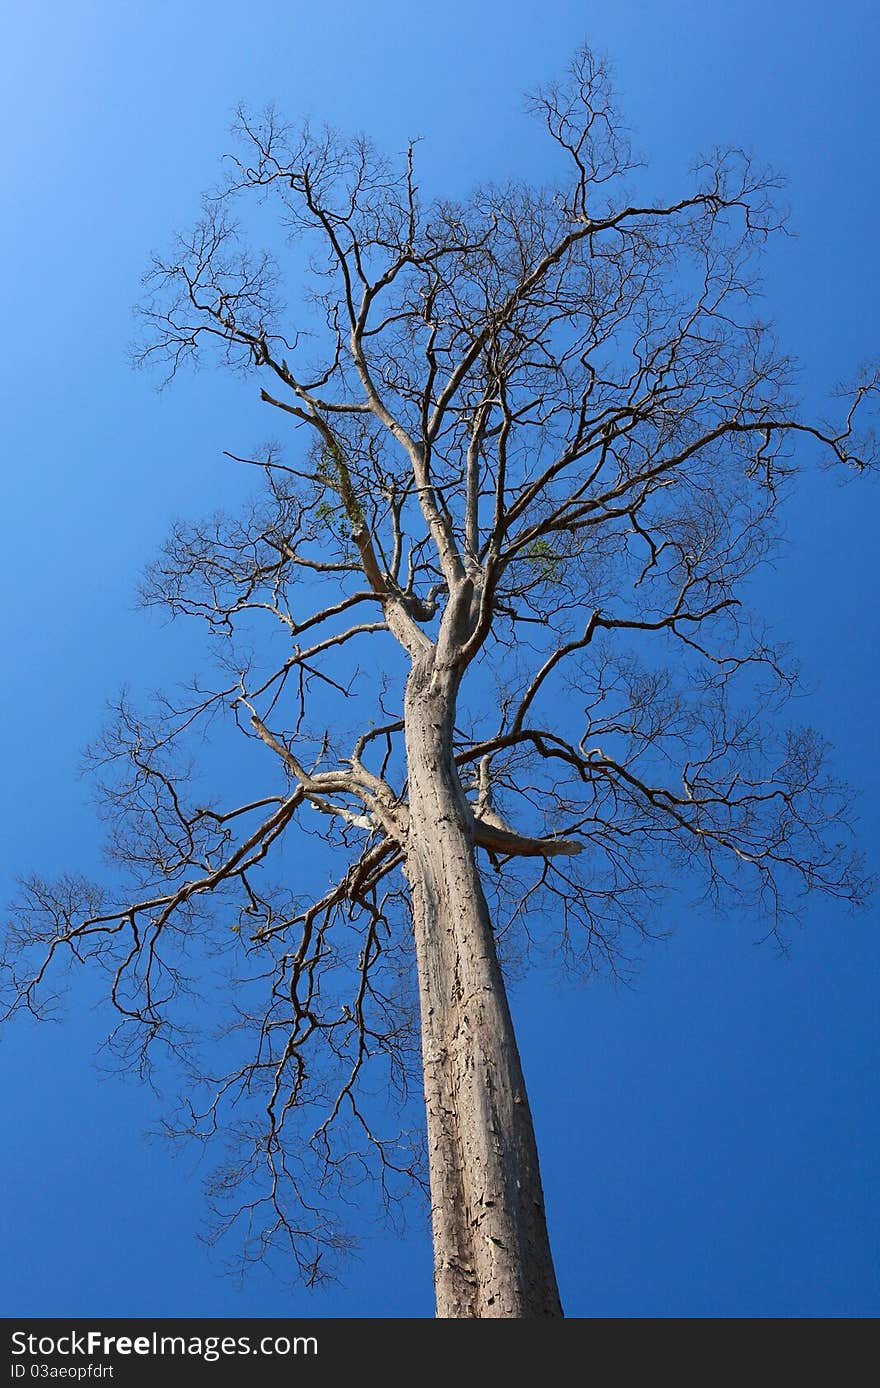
[539, 445]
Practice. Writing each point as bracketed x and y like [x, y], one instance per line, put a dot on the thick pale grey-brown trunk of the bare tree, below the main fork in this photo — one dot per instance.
[492, 1254]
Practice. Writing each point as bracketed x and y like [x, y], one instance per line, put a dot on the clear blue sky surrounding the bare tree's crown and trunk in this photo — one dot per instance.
[710, 1137]
